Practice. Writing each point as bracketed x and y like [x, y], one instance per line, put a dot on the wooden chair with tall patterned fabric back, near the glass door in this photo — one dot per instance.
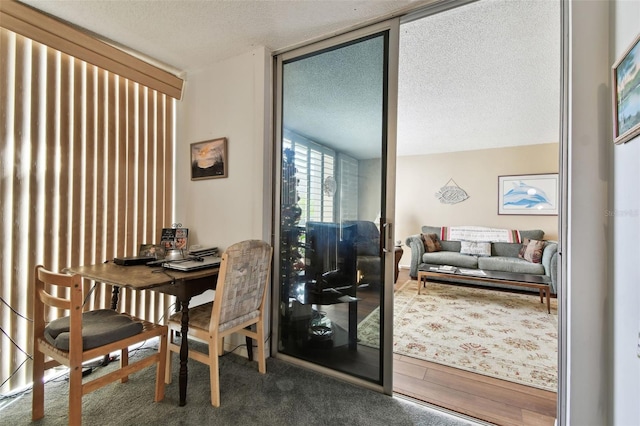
[239, 303]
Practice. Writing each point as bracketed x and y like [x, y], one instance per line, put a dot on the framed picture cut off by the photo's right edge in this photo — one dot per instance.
[626, 94]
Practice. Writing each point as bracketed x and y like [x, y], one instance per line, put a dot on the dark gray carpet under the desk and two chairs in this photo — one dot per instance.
[286, 395]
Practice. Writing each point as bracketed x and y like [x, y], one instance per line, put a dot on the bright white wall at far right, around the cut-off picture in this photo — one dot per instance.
[624, 219]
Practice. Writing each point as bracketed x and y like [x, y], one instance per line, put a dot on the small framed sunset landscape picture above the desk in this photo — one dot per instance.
[209, 159]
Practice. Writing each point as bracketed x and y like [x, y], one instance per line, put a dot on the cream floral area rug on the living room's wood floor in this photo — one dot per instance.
[505, 335]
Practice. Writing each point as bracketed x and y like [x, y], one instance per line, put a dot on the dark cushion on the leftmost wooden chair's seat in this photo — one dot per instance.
[99, 327]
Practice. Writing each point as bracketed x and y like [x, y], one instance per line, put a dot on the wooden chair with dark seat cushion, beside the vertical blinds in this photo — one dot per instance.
[83, 336]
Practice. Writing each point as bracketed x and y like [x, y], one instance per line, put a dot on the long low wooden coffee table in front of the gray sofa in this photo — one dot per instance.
[426, 271]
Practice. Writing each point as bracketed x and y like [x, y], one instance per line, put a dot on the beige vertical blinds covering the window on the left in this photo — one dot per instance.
[87, 174]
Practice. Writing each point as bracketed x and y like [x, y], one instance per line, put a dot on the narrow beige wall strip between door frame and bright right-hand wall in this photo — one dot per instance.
[588, 314]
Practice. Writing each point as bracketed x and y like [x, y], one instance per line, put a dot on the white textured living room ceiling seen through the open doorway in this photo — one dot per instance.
[485, 75]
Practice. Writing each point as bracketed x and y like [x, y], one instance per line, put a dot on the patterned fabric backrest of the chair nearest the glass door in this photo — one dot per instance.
[241, 288]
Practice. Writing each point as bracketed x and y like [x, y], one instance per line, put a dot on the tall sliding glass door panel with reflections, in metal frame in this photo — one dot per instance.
[336, 178]
